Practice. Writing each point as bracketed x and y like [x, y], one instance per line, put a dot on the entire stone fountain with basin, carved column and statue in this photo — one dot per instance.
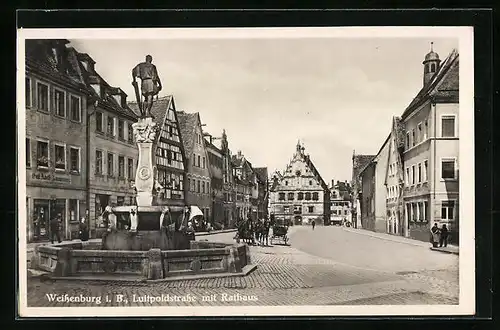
[156, 245]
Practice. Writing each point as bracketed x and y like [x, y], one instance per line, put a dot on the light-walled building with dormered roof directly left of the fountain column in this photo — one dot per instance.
[113, 153]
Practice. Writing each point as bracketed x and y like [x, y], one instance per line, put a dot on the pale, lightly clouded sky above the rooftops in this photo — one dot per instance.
[335, 95]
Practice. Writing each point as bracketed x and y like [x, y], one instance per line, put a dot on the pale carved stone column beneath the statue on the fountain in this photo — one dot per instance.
[145, 133]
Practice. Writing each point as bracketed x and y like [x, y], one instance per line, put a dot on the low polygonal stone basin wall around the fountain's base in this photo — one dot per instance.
[86, 260]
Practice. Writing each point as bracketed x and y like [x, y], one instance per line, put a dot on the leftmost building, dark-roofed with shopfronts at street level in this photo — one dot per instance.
[56, 119]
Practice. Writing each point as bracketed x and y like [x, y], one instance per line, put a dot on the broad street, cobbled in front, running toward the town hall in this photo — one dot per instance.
[327, 266]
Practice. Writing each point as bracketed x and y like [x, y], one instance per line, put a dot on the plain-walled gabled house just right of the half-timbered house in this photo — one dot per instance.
[198, 187]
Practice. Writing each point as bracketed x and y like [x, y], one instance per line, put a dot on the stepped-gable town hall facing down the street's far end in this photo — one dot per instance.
[300, 195]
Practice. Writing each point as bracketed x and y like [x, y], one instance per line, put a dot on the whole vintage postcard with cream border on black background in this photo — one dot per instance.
[246, 172]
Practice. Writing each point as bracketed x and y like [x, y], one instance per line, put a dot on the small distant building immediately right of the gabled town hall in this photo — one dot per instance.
[340, 203]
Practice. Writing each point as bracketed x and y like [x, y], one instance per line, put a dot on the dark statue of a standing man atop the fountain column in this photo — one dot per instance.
[150, 84]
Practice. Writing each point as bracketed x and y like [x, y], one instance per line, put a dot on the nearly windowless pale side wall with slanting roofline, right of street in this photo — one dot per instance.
[374, 203]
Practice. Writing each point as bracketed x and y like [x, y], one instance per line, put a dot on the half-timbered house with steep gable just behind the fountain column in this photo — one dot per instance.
[170, 155]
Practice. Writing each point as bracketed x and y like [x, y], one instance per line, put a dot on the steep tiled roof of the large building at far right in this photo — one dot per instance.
[442, 86]
